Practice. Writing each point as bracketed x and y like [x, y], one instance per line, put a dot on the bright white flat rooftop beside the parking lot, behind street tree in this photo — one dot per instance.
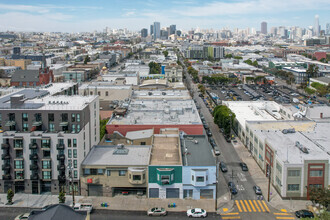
[250, 110]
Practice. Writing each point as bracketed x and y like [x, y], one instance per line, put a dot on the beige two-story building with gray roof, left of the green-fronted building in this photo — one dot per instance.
[115, 170]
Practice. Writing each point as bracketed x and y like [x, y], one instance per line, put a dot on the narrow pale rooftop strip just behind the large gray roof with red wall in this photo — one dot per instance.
[161, 94]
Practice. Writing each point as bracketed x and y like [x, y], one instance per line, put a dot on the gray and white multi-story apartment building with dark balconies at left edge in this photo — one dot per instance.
[41, 135]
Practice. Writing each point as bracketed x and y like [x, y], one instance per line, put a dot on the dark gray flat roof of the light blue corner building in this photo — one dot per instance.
[197, 151]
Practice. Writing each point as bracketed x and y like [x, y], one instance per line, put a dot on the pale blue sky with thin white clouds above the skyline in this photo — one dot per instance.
[87, 15]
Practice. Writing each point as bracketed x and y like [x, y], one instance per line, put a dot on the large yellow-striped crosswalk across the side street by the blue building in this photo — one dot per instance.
[252, 206]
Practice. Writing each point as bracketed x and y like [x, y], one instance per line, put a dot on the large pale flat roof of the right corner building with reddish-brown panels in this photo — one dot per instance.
[311, 135]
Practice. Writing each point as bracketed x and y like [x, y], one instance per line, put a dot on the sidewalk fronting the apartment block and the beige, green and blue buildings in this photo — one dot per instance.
[129, 202]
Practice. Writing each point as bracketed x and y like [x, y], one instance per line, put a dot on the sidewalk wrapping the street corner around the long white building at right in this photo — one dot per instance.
[262, 181]
